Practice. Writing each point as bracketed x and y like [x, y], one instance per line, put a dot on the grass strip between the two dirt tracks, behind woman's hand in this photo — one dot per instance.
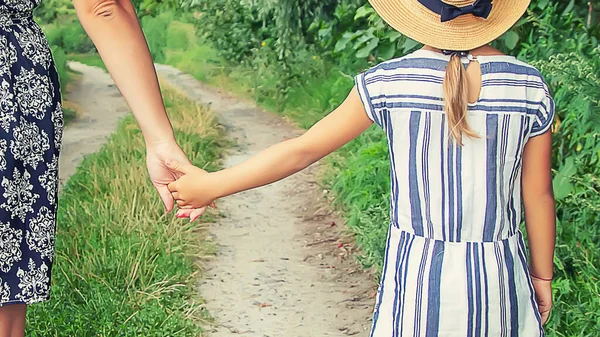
[123, 266]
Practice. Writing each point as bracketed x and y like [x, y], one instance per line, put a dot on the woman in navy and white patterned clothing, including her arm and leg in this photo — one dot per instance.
[31, 120]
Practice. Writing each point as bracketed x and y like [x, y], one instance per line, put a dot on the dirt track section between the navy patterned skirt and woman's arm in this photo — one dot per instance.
[100, 107]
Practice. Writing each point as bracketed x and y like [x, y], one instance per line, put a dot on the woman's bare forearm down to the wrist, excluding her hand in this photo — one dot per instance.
[114, 28]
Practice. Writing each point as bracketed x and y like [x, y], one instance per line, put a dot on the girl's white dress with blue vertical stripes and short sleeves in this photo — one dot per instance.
[455, 262]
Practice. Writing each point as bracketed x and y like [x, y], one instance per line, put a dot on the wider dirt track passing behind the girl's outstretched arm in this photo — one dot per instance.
[280, 270]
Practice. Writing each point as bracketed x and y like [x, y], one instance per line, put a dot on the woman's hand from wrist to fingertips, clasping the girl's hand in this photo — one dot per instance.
[161, 174]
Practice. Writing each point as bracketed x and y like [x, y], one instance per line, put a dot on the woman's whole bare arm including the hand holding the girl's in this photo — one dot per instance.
[114, 28]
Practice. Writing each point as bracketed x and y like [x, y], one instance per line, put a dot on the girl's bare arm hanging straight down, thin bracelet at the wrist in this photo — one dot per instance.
[540, 217]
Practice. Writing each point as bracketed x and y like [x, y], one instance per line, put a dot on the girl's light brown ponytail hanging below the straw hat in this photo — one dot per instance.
[457, 100]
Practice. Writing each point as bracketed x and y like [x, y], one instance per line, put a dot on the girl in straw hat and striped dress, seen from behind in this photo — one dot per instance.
[468, 133]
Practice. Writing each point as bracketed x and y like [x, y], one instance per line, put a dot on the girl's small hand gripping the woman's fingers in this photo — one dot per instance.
[194, 189]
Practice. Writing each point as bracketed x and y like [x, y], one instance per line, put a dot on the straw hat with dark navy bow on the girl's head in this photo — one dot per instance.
[457, 25]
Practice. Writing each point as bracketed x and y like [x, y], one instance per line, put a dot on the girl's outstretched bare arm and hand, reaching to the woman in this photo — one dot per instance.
[349, 120]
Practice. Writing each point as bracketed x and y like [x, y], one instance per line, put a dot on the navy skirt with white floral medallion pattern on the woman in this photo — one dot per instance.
[31, 124]
